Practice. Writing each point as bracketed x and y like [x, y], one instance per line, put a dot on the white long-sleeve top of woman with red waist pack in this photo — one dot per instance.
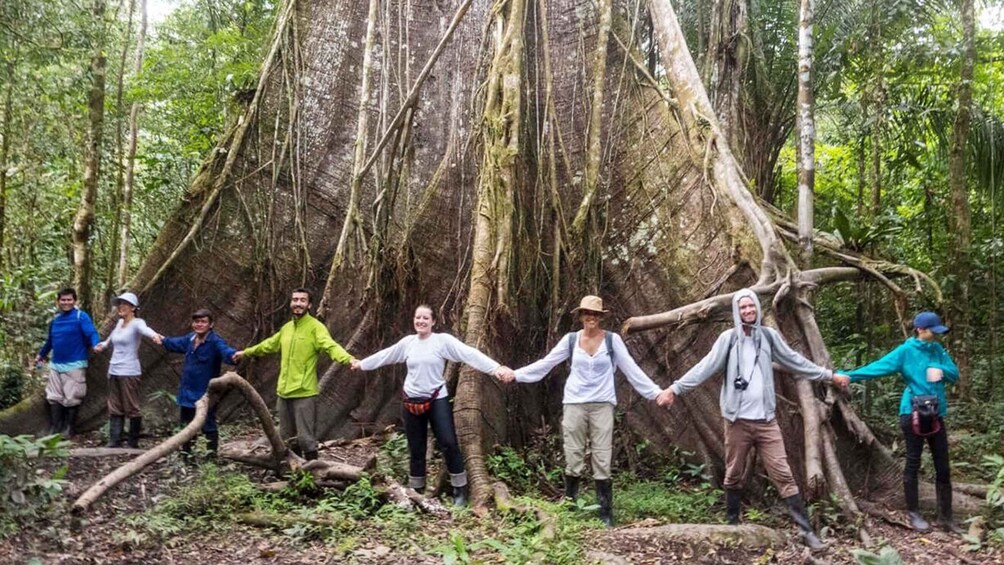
[426, 361]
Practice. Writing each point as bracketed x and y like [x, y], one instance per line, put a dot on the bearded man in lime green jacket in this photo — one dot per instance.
[299, 343]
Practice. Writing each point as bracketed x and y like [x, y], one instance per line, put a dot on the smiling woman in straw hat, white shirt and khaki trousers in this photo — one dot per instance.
[590, 397]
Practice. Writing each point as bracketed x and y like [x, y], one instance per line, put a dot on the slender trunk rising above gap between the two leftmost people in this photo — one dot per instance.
[85, 220]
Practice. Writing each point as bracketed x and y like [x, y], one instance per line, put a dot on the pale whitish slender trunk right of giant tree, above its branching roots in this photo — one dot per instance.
[807, 133]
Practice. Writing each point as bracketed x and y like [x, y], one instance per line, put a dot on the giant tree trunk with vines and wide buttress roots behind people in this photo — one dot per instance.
[497, 161]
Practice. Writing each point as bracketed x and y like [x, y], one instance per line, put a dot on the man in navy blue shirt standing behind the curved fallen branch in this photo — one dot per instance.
[205, 353]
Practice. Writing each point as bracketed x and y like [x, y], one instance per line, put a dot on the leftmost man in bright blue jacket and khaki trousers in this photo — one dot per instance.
[72, 338]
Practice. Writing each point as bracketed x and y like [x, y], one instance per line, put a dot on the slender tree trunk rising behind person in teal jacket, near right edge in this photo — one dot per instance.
[960, 219]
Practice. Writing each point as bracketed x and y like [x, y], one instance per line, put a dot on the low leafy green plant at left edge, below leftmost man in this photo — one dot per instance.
[27, 488]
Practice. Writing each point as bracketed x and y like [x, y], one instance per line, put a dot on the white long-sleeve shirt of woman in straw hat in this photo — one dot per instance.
[592, 377]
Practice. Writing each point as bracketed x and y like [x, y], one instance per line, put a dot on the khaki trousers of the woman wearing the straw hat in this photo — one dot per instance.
[593, 421]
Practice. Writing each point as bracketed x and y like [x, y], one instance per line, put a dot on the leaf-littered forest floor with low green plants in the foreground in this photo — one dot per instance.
[178, 513]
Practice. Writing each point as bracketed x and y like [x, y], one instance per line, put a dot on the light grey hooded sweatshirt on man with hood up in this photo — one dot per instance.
[725, 356]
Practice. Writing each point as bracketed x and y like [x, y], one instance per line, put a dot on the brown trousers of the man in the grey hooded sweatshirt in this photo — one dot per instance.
[744, 435]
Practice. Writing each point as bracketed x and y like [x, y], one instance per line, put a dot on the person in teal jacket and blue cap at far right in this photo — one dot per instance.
[925, 367]
